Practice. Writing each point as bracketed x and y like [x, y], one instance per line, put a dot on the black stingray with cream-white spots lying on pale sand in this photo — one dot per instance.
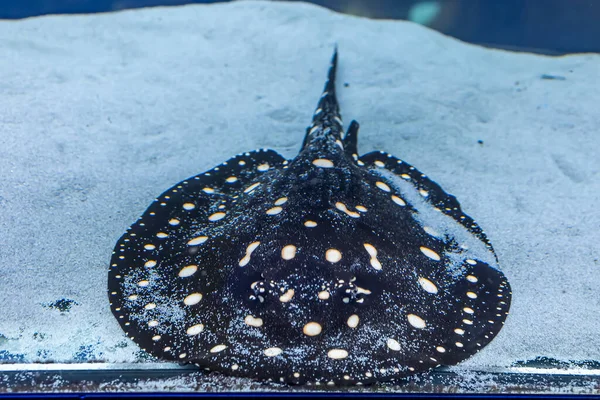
[329, 268]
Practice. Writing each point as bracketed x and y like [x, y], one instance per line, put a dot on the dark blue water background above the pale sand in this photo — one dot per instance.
[544, 26]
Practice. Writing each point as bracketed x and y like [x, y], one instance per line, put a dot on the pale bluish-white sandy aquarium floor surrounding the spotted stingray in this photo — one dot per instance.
[101, 113]
